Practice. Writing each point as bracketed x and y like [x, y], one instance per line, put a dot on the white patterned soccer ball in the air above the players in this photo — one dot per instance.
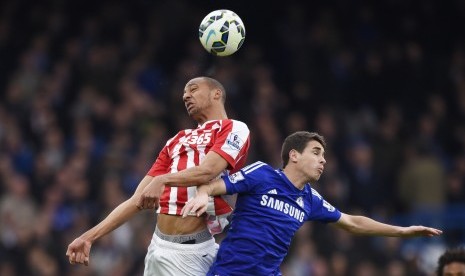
[222, 32]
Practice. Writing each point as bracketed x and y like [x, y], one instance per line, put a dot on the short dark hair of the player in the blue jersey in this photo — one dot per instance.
[298, 141]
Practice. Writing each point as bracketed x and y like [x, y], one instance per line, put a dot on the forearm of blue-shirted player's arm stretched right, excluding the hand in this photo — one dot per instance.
[366, 226]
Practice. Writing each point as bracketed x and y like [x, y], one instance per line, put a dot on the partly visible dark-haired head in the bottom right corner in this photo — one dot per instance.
[452, 262]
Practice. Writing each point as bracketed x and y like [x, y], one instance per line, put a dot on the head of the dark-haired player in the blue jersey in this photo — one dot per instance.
[305, 151]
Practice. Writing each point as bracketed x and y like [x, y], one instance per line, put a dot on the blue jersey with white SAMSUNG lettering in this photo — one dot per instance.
[269, 210]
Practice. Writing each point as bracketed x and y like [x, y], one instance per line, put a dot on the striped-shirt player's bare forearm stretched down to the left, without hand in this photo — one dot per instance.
[116, 218]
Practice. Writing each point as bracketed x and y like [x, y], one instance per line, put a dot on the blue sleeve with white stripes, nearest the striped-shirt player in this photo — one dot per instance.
[245, 180]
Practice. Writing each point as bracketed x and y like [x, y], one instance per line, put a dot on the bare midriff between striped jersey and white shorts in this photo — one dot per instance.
[176, 225]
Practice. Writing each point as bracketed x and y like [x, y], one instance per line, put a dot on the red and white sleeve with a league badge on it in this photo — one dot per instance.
[232, 143]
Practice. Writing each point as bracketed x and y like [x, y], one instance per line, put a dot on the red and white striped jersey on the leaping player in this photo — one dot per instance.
[228, 138]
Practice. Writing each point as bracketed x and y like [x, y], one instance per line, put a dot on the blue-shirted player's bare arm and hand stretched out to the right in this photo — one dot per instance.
[366, 226]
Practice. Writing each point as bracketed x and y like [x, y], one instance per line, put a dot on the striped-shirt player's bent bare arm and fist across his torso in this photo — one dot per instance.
[211, 167]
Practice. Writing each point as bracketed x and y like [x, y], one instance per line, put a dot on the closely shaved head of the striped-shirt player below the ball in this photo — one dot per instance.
[203, 95]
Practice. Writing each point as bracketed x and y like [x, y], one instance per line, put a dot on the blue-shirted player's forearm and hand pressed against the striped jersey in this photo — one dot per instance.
[198, 205]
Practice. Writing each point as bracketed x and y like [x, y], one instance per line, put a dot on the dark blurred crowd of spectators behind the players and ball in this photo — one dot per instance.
[91, 91]
